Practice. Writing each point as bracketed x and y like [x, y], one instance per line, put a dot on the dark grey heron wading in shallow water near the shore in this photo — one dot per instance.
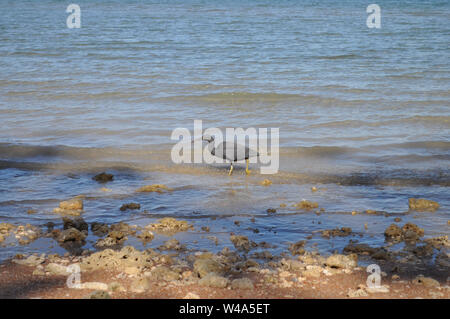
[230, 151]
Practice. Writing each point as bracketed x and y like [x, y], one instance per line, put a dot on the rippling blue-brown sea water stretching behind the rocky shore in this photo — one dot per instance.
[363, 113]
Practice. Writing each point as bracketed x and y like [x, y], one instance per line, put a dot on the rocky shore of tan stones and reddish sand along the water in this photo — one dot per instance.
[411, 265]
